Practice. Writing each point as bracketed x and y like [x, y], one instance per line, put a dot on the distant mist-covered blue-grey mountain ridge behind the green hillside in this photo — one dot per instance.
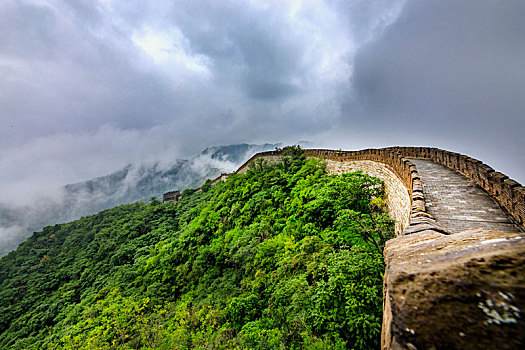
[132, 183]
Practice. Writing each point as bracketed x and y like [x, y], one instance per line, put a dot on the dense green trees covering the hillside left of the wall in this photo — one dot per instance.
[284, 256]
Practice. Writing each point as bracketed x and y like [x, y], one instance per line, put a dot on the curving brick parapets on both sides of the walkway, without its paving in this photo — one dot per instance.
[507, 192]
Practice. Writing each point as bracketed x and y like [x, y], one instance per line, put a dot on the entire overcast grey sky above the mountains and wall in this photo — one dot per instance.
[89, 86]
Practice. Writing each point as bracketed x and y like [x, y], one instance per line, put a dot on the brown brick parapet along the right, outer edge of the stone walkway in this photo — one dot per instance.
[507, 192]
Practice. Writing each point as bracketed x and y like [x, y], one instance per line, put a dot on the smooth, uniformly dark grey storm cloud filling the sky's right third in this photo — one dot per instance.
[450, 74]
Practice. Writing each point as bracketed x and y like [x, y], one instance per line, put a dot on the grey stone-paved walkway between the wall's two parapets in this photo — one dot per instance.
[457, 203]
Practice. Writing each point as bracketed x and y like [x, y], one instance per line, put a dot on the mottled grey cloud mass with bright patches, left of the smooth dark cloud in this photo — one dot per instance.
[89, 86]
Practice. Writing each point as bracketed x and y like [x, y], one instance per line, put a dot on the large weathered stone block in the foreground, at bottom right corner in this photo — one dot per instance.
[462, 291]
